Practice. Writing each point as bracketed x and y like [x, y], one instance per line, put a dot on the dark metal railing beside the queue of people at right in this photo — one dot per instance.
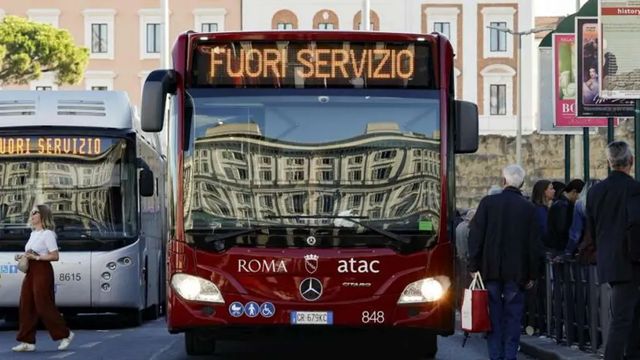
[569, 305]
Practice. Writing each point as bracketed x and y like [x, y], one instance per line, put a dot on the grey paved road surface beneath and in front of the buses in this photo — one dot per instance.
[101, 337]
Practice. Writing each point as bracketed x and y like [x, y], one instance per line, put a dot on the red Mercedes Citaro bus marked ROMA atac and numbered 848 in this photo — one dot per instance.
[311, 183]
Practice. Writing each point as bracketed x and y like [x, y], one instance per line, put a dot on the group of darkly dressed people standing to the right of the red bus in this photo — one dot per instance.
[510, 236]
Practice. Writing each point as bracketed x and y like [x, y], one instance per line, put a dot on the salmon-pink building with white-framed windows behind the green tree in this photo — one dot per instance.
[124, 38]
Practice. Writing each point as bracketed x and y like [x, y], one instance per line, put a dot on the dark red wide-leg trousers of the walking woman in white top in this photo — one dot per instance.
[37, 302]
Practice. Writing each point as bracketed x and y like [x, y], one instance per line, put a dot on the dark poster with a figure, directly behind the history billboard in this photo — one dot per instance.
[589, 103]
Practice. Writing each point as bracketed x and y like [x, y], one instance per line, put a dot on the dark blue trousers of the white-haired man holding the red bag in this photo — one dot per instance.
[506, 305]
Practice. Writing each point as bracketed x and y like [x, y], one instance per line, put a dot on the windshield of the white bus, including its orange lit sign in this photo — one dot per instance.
[86, 181]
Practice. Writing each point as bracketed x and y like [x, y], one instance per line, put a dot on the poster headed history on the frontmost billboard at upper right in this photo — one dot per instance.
[618, 56]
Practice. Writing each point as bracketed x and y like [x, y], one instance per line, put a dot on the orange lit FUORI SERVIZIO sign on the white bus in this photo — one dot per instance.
[52, 145]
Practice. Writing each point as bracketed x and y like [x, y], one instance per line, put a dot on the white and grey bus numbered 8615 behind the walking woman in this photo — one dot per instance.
[82, 154]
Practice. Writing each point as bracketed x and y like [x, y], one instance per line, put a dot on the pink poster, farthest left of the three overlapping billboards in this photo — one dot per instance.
[565, 84]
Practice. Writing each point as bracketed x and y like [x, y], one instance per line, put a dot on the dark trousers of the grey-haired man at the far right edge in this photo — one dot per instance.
[624, 334]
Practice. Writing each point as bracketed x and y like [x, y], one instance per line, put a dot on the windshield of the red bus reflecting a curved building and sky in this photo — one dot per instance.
[348, 160]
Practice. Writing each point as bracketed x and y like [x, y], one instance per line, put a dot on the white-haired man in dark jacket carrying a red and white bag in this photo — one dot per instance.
[504, 245]
